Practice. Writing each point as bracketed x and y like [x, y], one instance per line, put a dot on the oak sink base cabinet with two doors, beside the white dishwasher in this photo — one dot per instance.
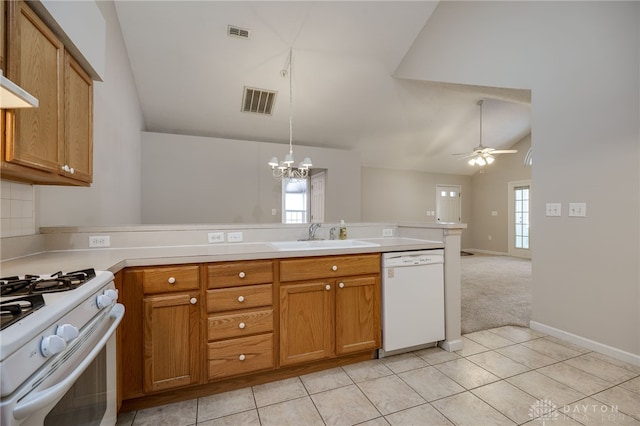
[324, 318]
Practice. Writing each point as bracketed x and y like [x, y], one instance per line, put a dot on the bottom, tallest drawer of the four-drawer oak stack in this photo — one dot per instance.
[238, 356]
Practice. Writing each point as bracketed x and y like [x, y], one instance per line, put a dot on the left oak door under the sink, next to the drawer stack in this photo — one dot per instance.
[306, 322]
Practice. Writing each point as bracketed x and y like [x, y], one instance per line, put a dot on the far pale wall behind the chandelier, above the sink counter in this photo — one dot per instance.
[191, 179]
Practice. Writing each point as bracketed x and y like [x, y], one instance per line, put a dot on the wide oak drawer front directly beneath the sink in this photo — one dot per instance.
[328, 267]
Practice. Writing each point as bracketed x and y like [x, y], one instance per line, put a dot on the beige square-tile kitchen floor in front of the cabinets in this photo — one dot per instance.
[503, 376]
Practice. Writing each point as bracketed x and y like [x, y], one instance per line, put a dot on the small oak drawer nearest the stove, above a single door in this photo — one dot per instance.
[167, 279]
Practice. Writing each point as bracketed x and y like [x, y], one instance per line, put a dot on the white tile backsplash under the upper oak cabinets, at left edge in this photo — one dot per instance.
[17, 209]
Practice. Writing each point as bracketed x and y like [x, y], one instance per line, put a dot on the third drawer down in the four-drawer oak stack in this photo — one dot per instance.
[240, 324]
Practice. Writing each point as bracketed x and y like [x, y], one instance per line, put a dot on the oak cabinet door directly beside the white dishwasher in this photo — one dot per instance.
[357, 314]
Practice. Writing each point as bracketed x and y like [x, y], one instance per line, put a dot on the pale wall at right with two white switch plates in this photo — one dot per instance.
[581, 61]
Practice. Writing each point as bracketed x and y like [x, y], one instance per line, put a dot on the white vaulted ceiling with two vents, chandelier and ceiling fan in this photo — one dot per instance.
[190, 76]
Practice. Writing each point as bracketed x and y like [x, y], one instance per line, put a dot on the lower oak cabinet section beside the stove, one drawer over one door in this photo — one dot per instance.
[160, 338]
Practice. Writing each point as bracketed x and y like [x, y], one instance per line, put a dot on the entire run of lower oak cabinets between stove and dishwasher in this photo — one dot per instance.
[211, 326]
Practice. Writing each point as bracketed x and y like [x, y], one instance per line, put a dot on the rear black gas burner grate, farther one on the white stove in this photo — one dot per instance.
[35, 284]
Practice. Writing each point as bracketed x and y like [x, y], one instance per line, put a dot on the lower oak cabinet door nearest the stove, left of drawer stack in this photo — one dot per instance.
[172, 352]
